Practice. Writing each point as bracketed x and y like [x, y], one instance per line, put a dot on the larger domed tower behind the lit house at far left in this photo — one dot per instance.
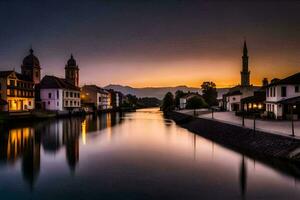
[31, 67]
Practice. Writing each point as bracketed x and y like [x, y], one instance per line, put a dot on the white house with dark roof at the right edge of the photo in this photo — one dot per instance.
[283, 97]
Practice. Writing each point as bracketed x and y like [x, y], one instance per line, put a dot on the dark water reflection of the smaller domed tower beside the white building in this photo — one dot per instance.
[71, 134]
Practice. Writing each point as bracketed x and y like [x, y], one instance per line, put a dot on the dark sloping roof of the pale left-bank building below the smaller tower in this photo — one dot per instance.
[53, 82]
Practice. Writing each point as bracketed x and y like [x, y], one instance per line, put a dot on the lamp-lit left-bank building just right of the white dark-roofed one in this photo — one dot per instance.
[95, 98]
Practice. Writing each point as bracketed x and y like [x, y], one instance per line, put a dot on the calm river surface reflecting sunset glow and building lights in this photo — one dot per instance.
[137, 155]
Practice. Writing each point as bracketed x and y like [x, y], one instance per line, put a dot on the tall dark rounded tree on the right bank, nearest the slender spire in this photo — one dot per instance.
[209, 93]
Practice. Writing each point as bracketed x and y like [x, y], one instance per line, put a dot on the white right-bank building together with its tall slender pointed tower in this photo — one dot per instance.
[232, 99]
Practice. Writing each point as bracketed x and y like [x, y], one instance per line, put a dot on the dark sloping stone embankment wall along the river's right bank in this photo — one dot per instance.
[258, 144]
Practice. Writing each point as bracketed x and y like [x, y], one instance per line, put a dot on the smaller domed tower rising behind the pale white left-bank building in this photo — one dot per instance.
[72, 71]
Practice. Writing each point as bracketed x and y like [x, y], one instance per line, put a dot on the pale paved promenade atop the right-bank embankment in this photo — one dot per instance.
[271, 126]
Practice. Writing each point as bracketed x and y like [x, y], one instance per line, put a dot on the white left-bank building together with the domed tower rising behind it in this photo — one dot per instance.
[63, 95]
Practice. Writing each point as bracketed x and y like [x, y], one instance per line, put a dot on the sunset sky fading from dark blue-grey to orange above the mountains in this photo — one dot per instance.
[153, 43]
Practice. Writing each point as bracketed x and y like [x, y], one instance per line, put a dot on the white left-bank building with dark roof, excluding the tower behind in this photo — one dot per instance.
[59, 95]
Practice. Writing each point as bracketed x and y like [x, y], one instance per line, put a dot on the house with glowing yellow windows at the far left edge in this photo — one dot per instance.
[17, 92]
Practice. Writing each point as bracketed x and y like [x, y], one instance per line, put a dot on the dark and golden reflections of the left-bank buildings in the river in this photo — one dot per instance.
[24, 143]
